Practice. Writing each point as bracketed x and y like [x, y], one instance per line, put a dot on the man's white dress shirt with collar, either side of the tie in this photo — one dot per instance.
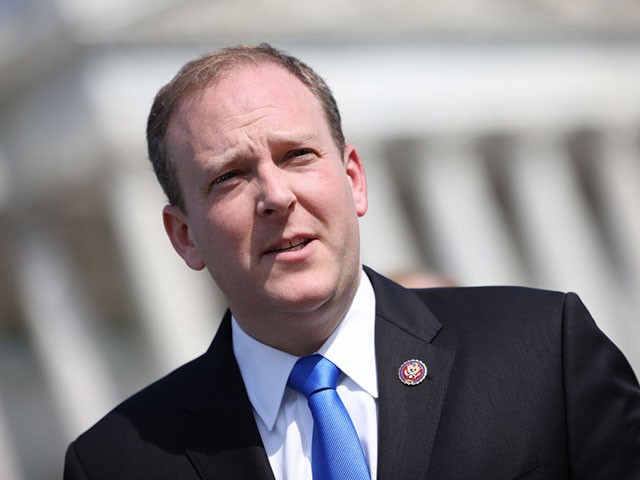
[283, 416]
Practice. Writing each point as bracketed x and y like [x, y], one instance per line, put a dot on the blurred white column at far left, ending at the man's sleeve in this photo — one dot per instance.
[58, 321]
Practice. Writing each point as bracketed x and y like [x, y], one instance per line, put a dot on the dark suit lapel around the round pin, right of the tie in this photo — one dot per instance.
[408, 416]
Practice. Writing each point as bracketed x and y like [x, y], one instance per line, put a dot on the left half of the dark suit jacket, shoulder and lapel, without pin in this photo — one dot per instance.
[196, 422]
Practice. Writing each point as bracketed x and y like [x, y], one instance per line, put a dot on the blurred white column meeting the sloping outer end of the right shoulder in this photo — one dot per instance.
[558, 230]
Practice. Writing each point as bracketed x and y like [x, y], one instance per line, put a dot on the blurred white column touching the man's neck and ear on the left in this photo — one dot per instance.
[180, 309]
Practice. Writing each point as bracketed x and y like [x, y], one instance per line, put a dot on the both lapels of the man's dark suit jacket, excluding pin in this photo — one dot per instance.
[222, 440]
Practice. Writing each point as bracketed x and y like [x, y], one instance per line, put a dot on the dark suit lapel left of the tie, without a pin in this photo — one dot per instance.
[220, 433]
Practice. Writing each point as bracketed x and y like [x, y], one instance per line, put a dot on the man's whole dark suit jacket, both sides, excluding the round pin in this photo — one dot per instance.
[521, 384]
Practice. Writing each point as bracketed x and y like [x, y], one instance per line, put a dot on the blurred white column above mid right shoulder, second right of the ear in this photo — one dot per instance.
[464, 222]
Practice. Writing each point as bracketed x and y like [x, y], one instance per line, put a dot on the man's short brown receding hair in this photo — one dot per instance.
[199, 74]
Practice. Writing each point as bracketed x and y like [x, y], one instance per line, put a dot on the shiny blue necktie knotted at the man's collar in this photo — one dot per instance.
[336, 452]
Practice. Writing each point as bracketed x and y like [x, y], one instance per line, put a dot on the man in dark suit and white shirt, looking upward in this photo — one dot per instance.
[483, 383]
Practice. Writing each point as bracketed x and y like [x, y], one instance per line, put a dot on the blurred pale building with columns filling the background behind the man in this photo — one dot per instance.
[501, 141]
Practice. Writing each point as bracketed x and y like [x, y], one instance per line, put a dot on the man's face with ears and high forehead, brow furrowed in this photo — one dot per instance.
[271, 203]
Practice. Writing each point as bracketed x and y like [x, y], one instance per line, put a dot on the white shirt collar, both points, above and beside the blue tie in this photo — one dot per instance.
[265, 370]
